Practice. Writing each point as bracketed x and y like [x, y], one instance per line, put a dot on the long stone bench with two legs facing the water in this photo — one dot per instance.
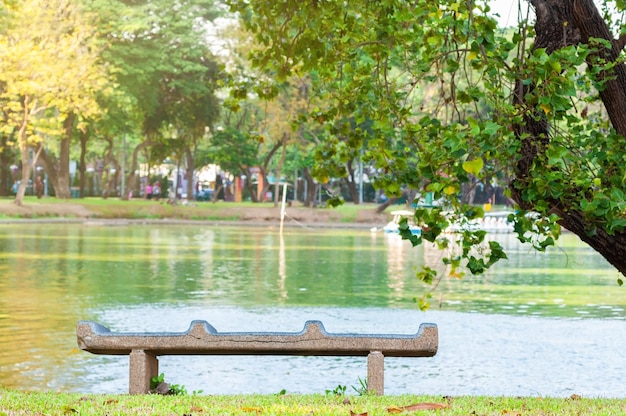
[202, 339]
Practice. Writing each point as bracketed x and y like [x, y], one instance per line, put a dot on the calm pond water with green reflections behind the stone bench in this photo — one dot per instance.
[538, 324]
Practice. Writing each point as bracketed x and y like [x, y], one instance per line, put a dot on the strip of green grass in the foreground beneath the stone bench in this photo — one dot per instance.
[21, 403]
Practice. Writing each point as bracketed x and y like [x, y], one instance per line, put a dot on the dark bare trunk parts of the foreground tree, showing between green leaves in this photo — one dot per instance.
[561, 23]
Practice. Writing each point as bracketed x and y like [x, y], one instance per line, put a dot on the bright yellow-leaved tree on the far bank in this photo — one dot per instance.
[49, 72]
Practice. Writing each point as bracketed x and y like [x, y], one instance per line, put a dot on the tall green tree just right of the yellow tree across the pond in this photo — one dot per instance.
[165, 74]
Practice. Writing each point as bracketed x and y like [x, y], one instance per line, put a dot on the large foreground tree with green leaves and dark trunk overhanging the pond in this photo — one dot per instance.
[450, 98]
